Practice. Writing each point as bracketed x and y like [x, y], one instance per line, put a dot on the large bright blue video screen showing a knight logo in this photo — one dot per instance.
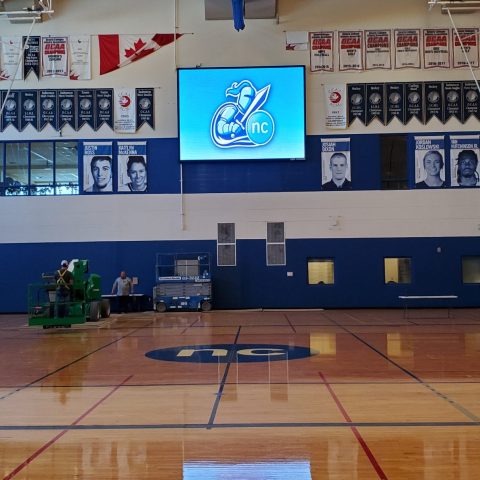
[241, 113]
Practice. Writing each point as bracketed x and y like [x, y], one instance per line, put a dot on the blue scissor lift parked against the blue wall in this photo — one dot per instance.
[183, 282]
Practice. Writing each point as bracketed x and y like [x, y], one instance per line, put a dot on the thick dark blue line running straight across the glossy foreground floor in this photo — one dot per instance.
[208, 426]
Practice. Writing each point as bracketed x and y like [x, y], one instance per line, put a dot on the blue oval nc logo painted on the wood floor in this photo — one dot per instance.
[230, 353]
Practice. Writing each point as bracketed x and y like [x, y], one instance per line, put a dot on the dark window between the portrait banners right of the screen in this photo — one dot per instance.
[393, 150]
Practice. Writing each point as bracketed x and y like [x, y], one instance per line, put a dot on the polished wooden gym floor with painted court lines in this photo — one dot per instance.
[381, 397]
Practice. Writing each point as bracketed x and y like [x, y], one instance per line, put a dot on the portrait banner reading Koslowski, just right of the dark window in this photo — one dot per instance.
[429, 162]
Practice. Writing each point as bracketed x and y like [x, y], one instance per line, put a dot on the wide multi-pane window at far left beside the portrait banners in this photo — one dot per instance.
[39, 168]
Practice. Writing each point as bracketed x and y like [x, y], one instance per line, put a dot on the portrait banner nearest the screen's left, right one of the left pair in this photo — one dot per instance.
[132, 166]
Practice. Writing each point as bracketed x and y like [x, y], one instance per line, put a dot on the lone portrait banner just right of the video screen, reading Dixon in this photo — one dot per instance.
[336, 169]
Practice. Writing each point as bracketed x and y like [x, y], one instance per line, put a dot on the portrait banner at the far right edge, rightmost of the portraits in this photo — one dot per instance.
[464, 164]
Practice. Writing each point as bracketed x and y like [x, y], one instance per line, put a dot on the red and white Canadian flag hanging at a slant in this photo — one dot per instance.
[116, 51]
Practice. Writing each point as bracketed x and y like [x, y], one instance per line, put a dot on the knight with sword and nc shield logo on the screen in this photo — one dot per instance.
[242, 122]
